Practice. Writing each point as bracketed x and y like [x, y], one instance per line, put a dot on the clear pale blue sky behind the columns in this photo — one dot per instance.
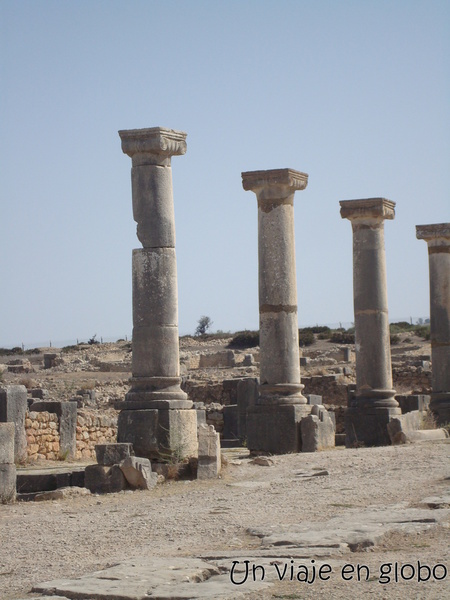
[356, 93]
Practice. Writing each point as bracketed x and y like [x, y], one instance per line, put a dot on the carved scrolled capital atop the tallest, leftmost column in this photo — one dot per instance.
[152, 146]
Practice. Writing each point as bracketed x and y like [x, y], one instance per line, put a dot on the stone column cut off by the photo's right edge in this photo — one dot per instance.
[438, 240]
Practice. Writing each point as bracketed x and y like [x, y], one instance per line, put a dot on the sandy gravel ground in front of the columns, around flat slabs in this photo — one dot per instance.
[69, 538]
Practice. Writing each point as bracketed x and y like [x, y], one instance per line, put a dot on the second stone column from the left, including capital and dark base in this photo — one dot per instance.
[273, 424]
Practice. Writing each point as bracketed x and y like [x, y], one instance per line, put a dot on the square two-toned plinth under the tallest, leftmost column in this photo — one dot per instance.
[164, 434]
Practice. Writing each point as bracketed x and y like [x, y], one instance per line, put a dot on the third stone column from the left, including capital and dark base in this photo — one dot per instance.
[373, 404]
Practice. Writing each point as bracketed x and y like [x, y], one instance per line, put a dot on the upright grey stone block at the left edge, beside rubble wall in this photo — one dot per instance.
[13, 406]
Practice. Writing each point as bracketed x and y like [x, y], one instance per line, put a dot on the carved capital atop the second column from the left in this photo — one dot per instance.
[274, 183]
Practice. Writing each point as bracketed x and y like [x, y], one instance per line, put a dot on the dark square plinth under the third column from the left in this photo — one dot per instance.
[367, 426]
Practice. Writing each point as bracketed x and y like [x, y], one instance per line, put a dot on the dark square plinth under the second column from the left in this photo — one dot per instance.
[275, 429]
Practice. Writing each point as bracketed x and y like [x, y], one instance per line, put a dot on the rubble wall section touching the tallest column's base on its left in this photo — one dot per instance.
[94, 429]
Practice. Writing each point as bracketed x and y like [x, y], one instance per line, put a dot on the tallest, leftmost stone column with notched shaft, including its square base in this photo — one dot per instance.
[156, 416]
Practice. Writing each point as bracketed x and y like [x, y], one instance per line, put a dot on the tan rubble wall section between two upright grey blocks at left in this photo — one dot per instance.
[42, 435]
